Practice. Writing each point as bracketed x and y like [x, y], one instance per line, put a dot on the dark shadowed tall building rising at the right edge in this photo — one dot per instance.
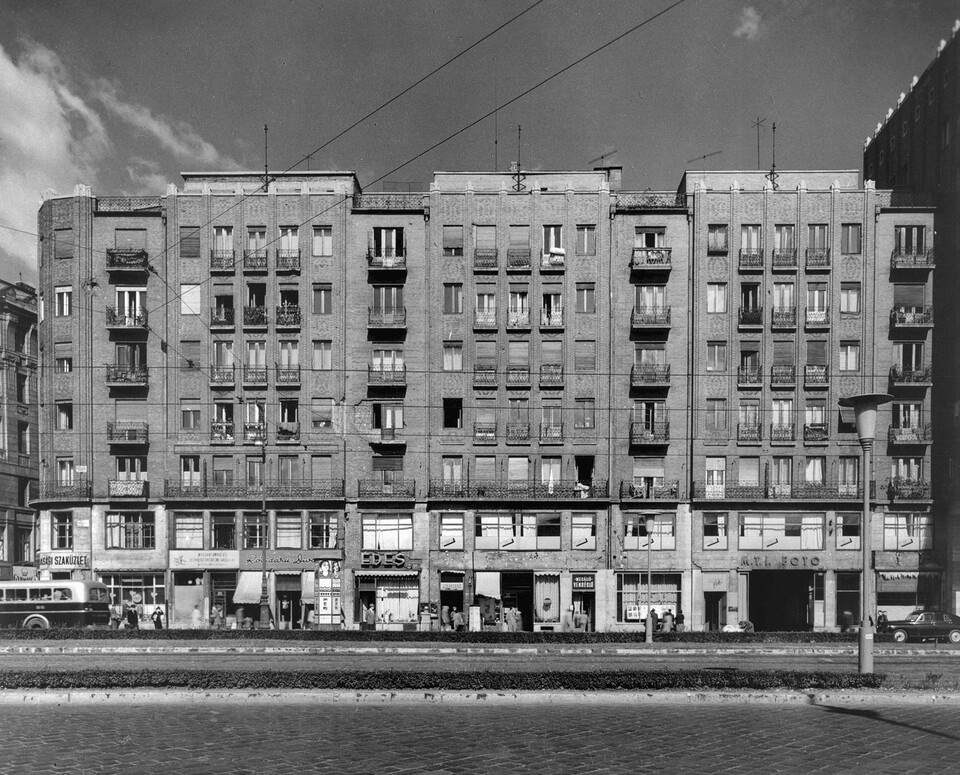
[914, 152]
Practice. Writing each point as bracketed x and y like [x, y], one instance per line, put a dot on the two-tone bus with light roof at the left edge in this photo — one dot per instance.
[39, 605]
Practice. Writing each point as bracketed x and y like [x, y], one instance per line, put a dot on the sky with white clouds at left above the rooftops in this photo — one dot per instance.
[123, 95]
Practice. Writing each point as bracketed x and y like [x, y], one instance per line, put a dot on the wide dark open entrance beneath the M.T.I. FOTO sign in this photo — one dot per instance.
[780, 600]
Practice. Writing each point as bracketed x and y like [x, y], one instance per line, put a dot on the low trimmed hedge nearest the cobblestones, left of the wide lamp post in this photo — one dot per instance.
[469, 681]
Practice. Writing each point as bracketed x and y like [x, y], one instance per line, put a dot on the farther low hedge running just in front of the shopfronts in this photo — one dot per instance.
[311, 636]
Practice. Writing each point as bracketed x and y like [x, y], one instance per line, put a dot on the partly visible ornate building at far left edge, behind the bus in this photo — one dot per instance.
[19, 455]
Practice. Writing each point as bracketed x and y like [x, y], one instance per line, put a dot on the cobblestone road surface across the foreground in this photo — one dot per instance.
[245, 738]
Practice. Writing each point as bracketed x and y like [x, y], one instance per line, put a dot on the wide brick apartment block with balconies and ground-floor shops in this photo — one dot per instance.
[481, 396]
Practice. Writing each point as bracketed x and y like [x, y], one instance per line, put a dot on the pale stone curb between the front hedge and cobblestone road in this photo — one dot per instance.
[299, 697]
